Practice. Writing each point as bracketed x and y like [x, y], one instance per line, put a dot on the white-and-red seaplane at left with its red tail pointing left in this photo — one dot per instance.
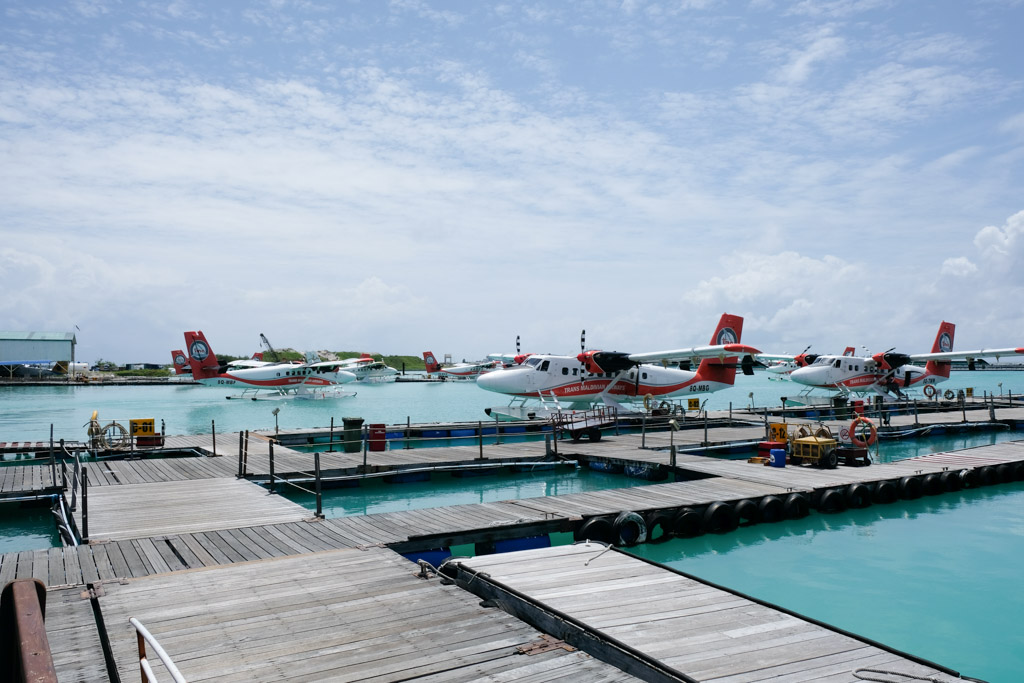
[313, 379]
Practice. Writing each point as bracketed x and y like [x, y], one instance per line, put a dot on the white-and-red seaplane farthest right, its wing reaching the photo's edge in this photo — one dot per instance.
[890, 373]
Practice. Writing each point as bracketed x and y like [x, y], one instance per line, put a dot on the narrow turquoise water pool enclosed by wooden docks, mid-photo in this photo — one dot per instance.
[445, 489]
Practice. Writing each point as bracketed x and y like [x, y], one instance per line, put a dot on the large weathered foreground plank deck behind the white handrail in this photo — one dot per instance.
[342, 616]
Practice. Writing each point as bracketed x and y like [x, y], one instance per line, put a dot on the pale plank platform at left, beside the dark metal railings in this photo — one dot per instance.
[133, 511]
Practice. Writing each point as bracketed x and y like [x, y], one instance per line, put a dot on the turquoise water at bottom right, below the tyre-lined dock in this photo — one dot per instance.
[938, 577]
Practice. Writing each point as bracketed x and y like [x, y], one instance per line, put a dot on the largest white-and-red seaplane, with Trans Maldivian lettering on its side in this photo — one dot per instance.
[615, 378]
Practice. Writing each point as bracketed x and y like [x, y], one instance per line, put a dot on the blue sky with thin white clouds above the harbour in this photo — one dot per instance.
[410, 176]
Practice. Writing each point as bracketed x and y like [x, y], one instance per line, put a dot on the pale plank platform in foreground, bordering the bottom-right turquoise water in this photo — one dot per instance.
[692, 628]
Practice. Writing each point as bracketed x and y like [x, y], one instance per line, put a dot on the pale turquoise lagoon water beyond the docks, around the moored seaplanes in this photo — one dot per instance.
[27, 413]
